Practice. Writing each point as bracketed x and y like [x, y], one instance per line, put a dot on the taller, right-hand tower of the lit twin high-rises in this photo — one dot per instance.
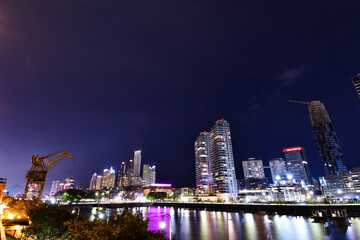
[222, 160]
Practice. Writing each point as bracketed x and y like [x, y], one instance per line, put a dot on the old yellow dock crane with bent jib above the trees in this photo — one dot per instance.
[37, 174]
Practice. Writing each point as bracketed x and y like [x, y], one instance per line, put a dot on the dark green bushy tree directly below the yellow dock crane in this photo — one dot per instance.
[47, 221]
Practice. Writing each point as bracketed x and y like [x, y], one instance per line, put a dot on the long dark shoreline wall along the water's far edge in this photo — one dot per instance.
[352, 210]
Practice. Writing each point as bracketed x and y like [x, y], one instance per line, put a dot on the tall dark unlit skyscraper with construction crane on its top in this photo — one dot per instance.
[326, 139]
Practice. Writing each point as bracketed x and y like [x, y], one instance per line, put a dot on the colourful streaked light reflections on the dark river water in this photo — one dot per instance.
[201, 224]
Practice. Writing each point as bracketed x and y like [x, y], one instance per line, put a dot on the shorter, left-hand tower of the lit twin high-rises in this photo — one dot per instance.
[203, 163]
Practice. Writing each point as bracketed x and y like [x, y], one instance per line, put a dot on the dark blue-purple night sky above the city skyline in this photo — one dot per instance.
[104, 78]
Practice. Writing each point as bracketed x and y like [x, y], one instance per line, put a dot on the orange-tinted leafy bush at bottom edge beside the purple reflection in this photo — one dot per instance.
[118, 226]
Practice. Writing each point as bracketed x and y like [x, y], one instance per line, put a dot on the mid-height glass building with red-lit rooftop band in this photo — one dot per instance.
[297, 165]
